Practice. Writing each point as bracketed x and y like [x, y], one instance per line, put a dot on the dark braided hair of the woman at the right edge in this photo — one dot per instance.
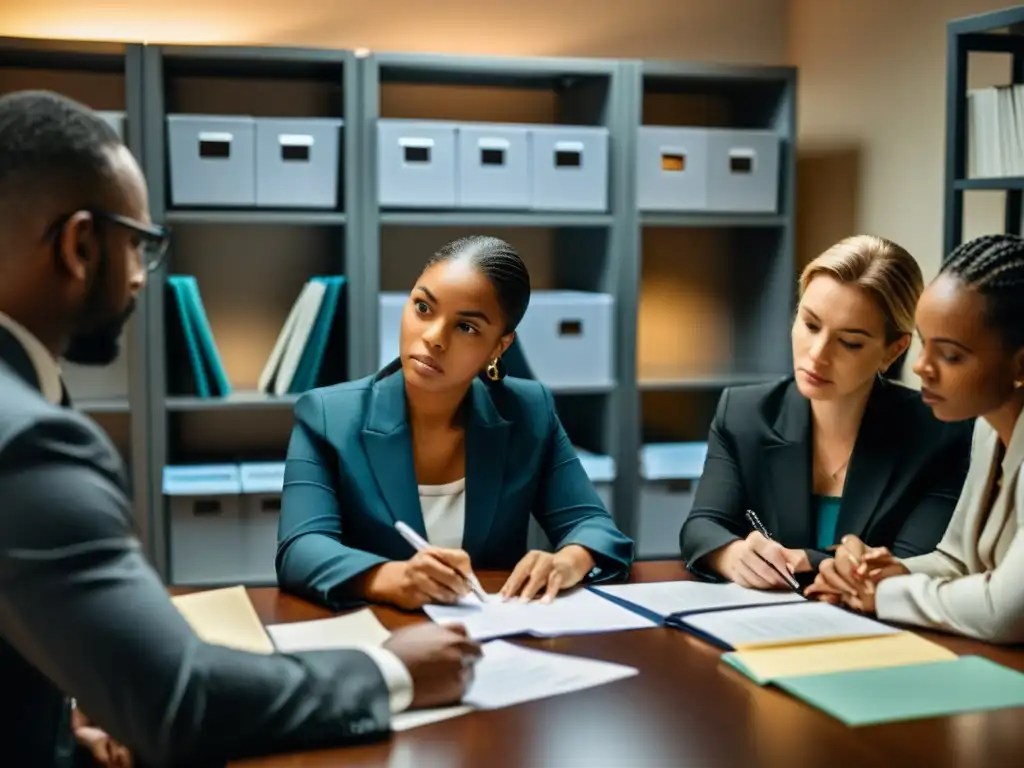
[994, 266]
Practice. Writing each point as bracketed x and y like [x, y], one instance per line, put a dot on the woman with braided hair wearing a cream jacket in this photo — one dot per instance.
[971, 322]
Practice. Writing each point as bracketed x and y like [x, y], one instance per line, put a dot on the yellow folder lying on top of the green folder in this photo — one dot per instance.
[767, 665]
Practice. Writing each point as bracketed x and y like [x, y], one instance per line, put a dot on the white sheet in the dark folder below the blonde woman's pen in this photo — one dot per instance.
[665, 599]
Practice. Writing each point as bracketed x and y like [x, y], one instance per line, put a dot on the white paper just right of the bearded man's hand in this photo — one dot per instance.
[509, 675]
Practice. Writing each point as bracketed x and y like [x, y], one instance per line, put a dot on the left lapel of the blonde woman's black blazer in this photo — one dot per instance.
[788, 462]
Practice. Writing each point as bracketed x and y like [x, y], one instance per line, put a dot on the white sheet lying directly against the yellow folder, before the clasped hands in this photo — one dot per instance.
[806, 622]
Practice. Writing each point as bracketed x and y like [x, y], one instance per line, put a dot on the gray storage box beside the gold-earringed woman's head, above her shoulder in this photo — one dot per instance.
[568, 338]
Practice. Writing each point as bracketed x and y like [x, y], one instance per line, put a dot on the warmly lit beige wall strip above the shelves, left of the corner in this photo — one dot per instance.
[752, 31]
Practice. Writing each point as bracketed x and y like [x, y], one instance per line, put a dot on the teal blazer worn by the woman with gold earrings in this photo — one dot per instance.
[350, 479]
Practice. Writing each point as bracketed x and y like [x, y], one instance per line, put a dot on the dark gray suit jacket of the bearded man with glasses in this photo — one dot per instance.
[82, 614]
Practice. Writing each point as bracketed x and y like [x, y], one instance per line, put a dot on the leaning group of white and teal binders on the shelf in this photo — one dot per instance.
[311, 336]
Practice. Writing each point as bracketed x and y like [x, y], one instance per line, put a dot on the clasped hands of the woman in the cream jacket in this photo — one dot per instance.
[852, 576]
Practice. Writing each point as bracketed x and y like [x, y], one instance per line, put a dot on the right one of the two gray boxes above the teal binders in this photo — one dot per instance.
[298, 162]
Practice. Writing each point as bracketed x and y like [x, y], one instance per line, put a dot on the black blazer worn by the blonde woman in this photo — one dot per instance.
[902, 486]
